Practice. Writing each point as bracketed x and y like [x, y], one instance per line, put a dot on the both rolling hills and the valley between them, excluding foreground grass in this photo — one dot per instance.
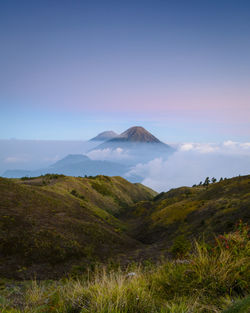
[52, 223]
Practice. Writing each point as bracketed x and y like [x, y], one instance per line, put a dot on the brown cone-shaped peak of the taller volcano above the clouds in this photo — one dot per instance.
[136, 134]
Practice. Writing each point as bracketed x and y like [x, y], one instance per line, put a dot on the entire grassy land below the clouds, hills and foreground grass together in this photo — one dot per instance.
[81, 228]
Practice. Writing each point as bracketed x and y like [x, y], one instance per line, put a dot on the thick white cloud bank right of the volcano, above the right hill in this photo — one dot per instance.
[193, 162]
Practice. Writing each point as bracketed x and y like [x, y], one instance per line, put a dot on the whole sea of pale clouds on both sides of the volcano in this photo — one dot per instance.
[188, 165]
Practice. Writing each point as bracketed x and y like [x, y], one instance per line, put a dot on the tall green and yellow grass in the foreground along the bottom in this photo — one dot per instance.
[211, 279]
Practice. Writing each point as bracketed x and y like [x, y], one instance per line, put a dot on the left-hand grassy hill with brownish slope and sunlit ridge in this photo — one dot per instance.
[51, 222]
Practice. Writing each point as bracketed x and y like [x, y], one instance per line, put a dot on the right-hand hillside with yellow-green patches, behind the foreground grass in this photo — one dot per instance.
[191, 212]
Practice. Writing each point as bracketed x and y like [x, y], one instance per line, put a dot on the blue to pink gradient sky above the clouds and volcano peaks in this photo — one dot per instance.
[71, 69]
